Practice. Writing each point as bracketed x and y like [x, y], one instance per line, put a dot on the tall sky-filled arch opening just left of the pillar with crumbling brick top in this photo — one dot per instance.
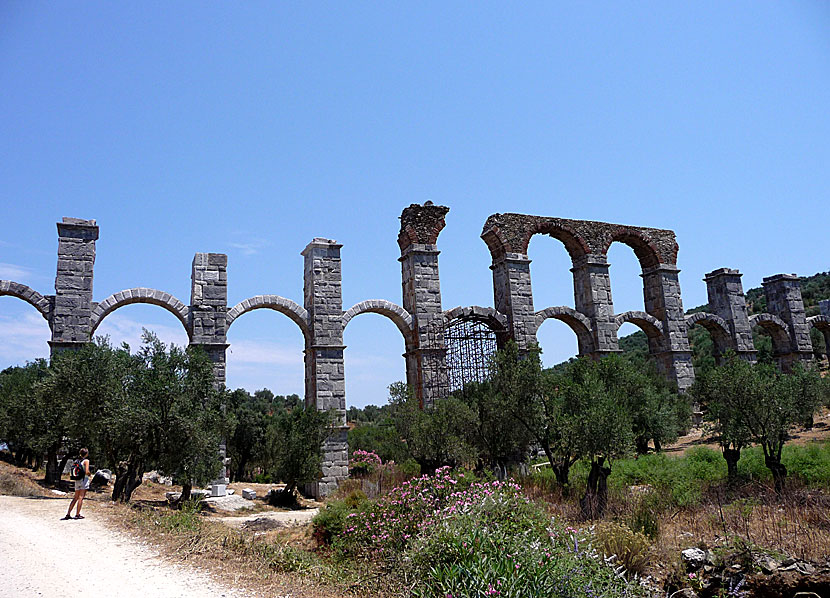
[373, 358]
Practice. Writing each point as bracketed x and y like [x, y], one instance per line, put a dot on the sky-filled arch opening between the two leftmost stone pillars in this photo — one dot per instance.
[126, 324]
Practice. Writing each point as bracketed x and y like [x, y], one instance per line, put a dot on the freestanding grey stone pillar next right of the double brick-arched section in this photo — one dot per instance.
[727, 300]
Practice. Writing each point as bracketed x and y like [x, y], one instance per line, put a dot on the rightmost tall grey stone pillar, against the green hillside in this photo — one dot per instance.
[783, 292]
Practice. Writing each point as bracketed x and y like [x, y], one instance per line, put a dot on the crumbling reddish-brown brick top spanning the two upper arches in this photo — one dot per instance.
[511, 233]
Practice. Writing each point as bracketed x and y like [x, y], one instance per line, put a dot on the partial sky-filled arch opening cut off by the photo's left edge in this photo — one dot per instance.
[24, 333]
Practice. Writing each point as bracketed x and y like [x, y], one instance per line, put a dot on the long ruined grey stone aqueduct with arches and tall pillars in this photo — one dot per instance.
[73, 316]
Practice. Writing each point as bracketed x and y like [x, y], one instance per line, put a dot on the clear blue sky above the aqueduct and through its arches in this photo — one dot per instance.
[250, 129]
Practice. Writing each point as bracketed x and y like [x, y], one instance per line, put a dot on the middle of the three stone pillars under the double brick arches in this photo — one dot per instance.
[592, 297]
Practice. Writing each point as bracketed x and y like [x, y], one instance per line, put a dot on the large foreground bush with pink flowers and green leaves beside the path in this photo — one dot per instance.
[455, 535]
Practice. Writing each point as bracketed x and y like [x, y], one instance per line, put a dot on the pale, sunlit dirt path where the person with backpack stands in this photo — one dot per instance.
[39, 554]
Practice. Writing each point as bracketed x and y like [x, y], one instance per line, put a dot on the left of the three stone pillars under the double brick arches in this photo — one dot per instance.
[513, 294]
